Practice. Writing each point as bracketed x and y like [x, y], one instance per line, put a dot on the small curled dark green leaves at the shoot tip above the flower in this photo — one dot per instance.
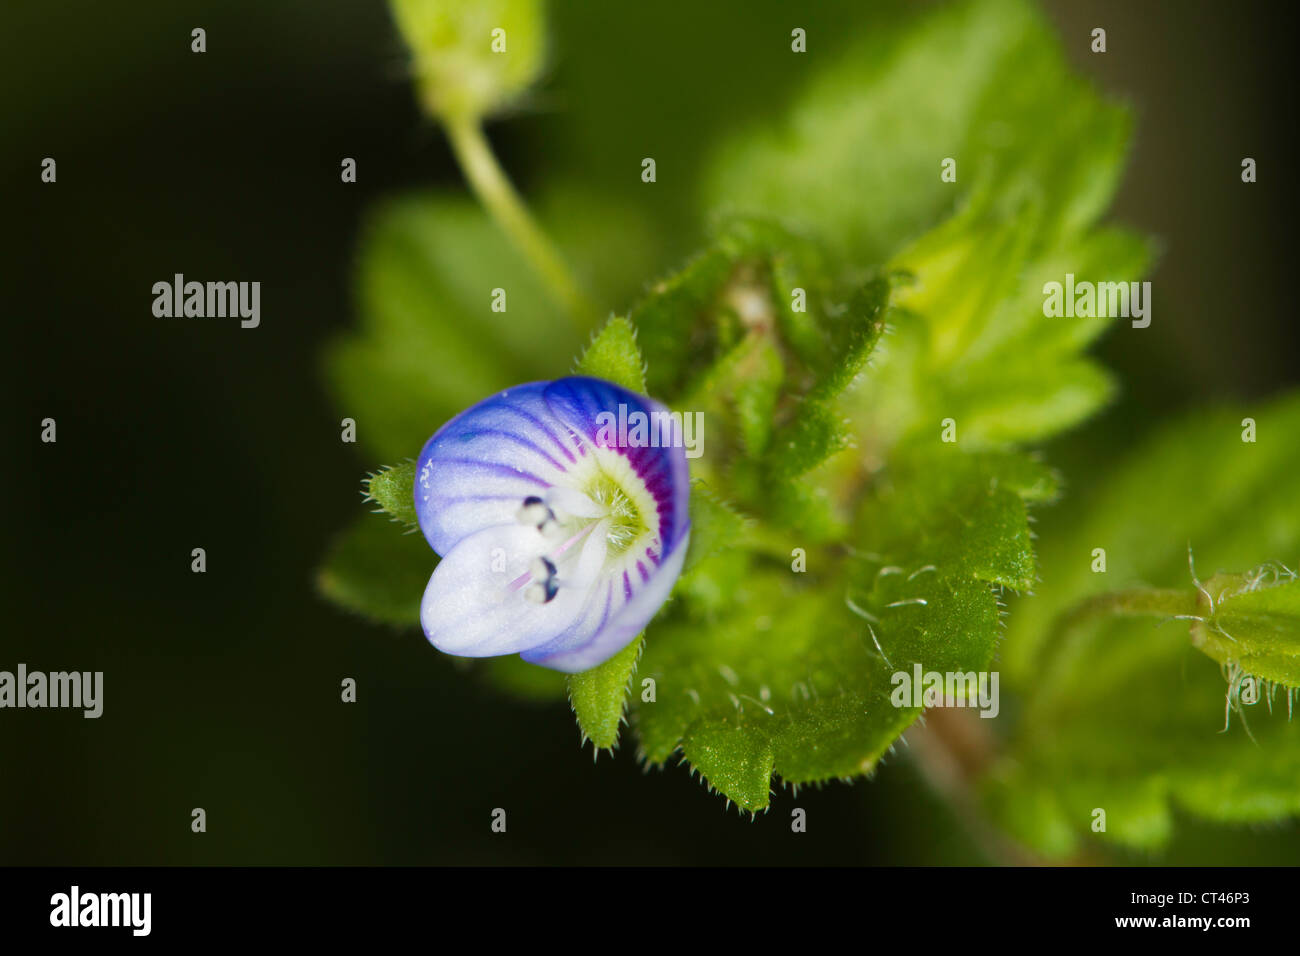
[759, 338]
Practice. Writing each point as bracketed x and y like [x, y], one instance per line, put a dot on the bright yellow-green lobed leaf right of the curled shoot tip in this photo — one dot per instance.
[977, 347]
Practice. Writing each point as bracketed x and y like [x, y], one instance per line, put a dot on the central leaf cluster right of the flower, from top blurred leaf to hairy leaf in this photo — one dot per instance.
[905, 543]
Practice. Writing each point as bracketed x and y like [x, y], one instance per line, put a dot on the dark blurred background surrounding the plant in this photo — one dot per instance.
[223, 690]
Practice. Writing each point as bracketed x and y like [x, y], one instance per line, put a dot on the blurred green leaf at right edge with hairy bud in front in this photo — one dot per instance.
[1124, 713]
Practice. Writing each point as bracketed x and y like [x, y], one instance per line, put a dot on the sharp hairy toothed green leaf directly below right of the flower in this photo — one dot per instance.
[792, 676]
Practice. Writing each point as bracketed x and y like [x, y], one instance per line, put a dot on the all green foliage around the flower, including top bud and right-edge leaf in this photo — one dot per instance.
[846, 302]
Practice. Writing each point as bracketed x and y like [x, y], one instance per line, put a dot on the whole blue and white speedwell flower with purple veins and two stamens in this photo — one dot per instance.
[560, 535]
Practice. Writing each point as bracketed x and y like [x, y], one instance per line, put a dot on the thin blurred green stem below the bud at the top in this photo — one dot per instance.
[499, 196]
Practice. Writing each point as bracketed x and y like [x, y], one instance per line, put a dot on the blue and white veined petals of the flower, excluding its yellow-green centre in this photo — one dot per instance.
[474, 475]
